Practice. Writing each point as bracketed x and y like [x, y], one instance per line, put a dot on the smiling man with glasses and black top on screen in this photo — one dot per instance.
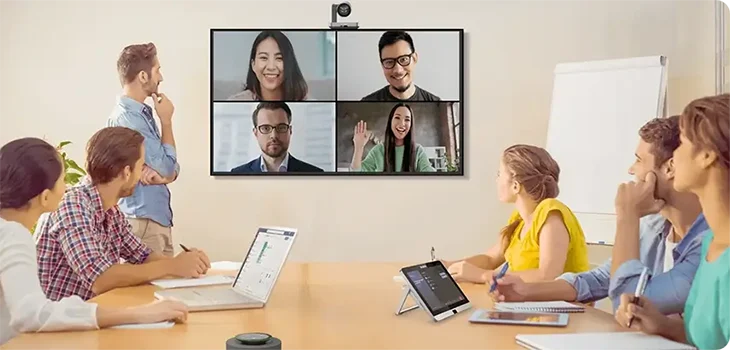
[398, 59]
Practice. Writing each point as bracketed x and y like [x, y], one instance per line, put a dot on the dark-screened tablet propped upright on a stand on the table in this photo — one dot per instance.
[435, 286]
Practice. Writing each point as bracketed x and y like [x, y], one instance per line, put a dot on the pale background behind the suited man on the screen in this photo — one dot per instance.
[312, 139]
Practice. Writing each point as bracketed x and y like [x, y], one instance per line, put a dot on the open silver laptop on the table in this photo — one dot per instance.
[255, 279]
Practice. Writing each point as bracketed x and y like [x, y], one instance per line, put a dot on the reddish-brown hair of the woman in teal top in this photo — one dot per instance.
[706, 123]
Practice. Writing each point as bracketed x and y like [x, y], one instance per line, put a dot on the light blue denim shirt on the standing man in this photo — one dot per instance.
[148, 201]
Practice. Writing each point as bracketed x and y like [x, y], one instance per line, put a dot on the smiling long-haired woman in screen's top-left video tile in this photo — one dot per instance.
[273, 71]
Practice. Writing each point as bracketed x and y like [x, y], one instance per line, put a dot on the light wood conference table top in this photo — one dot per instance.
[316, 306]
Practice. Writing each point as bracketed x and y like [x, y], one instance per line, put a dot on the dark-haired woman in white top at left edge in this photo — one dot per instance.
[32, 183]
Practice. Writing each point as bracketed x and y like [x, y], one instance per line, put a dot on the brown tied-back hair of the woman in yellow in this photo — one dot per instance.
[538, 173]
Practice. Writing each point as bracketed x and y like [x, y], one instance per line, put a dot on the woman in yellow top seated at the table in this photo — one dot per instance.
[543, 238]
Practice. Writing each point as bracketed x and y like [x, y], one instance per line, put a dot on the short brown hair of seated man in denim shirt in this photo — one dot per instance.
[663, 136]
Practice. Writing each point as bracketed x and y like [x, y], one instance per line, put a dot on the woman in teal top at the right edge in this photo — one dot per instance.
[701, 167]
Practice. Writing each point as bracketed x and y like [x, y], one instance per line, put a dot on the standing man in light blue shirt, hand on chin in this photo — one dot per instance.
[148, 209]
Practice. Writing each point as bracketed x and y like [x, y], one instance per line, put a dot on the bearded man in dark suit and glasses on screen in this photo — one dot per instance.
[272, 128]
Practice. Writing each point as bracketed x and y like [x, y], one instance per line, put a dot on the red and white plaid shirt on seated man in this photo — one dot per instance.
[79, 241]
